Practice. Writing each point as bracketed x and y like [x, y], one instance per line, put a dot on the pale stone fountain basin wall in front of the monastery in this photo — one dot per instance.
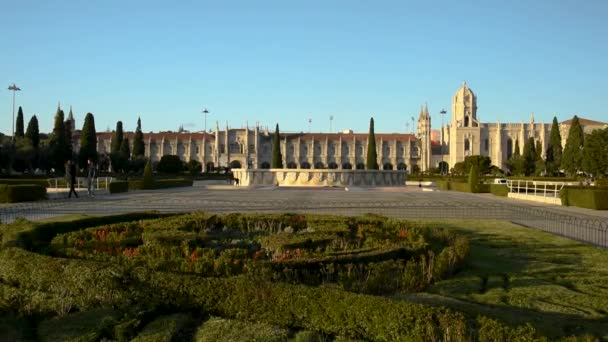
[305, 177]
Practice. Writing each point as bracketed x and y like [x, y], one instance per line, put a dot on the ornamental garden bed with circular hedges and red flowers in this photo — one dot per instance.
[204, 277]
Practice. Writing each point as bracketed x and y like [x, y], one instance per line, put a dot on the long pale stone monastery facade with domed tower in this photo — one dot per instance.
[251, 148]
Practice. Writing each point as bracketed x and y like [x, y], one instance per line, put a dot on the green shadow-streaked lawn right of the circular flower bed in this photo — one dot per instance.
[521, 275]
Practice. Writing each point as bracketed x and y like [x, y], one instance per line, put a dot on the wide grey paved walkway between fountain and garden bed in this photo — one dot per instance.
[407, 202]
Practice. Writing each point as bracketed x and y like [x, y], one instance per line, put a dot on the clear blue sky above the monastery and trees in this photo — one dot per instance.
[287, 61]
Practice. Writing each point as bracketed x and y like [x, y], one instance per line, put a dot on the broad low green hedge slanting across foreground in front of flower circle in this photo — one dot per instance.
[47, 283]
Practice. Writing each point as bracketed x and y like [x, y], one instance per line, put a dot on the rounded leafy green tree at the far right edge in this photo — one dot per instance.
[595, 153]
